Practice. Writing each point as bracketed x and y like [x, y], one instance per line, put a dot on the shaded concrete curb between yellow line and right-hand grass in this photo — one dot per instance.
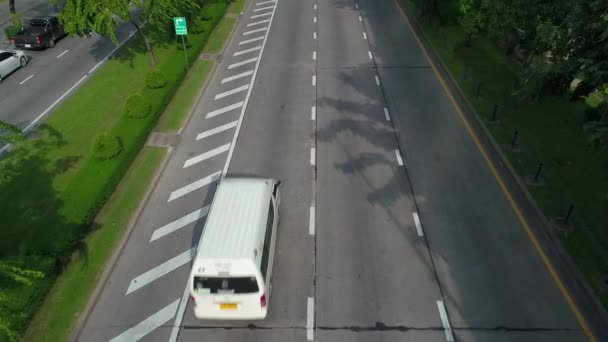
[594, 313]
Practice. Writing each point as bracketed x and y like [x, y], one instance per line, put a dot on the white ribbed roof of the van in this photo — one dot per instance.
[238, 212]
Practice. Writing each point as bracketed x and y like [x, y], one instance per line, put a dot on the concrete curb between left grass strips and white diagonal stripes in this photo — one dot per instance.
[109, 267]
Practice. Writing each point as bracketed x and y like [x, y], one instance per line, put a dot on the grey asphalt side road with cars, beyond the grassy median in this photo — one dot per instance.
[30, 94]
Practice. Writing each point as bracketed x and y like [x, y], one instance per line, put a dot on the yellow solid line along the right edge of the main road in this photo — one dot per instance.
[575, 310]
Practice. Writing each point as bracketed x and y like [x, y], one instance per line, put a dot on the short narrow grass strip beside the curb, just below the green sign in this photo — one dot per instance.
[180, 106]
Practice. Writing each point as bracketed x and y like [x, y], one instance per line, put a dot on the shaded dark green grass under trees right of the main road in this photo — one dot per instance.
[550, 132]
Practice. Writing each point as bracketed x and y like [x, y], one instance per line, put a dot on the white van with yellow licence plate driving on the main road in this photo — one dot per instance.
[230, 278]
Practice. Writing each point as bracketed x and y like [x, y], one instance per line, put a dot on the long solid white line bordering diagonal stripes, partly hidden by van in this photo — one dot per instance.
[182, 308]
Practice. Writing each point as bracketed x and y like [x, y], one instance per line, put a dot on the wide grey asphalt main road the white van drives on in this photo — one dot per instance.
[392, 226]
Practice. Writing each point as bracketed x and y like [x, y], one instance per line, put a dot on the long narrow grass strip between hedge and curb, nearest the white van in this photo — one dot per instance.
[73, 287]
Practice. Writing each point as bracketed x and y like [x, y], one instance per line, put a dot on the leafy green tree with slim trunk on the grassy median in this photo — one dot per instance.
[80, 16]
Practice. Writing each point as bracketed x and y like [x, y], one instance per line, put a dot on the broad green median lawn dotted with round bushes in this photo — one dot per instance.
[49, 207]
